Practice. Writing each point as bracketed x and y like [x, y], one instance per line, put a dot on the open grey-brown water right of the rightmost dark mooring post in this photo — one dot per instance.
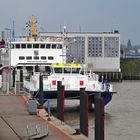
[123, 113]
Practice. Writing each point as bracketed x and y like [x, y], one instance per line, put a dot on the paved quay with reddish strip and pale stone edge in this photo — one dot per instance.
[14, 119]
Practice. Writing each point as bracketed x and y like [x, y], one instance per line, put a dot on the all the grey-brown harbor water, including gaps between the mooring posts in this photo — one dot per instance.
[122, 114]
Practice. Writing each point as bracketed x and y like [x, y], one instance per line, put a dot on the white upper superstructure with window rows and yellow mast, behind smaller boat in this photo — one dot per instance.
[33, 50]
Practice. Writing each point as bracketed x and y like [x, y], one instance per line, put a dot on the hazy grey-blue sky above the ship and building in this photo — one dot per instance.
[90, 15]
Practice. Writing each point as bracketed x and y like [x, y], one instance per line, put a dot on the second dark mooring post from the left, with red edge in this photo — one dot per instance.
[60, 101]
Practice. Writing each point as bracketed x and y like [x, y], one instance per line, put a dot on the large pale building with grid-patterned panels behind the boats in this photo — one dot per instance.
[99, 51]
